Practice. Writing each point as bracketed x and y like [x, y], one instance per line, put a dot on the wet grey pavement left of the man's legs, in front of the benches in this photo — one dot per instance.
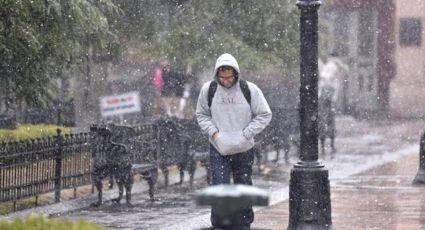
[175, 202]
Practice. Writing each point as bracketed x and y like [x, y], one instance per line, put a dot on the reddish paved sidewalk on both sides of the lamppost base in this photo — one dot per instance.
[380, 198]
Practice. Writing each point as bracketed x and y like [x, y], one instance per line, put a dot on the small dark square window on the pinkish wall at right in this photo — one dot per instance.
[410, 32]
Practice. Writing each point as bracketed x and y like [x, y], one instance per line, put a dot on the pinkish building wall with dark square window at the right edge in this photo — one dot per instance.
[408, 87]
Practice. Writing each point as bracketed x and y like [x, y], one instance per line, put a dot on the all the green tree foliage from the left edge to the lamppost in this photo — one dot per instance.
[42, 41]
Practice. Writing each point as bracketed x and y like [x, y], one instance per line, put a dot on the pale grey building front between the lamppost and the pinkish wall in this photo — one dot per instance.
[362, 34]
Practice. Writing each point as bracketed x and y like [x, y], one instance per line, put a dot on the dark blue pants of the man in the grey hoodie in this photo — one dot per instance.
[240, 166]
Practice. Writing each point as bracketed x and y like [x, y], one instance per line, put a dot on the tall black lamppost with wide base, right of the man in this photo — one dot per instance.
[309, 191]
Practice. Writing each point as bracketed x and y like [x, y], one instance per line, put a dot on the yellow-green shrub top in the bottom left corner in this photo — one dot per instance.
[37, 222]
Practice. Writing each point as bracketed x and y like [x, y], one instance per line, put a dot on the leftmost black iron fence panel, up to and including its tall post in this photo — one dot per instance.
[27, 168]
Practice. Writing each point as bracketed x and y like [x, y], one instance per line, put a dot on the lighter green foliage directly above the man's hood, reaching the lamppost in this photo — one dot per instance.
[263, 35]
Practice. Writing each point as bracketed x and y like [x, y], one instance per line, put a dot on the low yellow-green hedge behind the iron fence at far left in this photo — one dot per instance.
[26, 131]
